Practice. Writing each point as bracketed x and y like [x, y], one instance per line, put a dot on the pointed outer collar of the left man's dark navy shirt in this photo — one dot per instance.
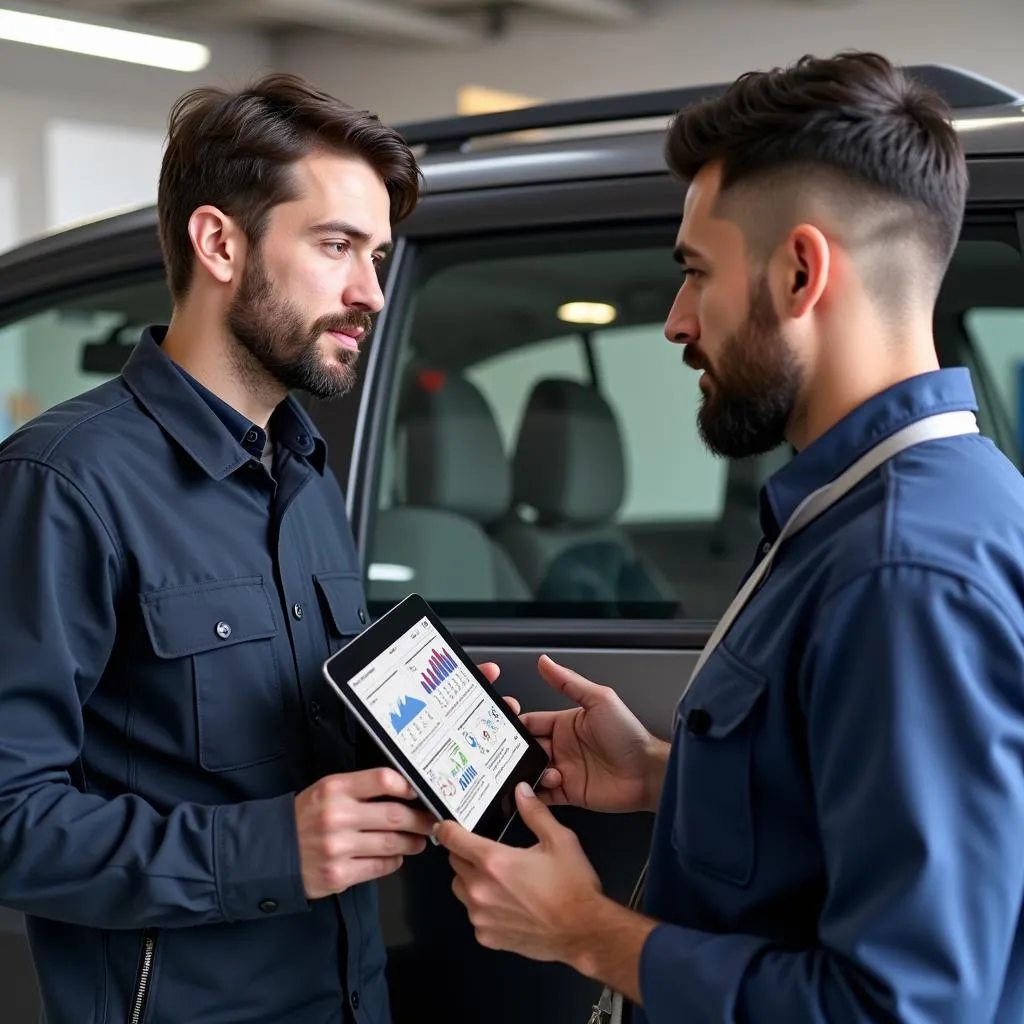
[202, 428]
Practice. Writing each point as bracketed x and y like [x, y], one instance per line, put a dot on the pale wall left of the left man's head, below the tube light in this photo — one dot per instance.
[81, 136]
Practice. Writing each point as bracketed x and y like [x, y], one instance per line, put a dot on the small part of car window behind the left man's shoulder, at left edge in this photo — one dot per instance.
[74, 346]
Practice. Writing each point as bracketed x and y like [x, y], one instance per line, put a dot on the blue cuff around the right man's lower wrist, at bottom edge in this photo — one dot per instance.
[681, 969]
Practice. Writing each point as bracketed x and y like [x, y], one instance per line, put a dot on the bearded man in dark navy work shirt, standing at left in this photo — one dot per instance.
[188, 820]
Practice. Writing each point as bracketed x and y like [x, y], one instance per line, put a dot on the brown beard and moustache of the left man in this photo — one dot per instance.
[273, 332]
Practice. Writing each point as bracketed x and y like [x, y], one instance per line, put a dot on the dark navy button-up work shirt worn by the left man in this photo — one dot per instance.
[167, 607]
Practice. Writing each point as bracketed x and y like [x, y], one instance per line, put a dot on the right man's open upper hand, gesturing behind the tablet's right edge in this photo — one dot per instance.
[603, 758]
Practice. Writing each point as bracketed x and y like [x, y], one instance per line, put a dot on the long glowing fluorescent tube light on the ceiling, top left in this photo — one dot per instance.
[99, 41]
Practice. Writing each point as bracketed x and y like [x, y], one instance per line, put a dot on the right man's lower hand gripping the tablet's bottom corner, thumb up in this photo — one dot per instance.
[534, 902]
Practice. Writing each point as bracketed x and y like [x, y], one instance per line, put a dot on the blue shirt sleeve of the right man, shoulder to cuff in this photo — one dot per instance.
[913, 689]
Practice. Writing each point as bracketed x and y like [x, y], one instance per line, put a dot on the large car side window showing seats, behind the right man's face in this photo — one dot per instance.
[546, 468]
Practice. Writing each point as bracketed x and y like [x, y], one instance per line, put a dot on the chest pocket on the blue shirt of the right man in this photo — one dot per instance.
[714, 822]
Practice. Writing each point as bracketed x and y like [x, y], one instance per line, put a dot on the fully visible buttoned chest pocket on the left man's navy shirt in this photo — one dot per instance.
[224, 631]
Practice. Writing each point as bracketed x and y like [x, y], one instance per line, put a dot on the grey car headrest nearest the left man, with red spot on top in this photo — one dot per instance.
[452, 452]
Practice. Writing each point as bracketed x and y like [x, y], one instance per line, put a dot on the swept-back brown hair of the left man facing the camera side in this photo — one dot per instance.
[235, 151]
